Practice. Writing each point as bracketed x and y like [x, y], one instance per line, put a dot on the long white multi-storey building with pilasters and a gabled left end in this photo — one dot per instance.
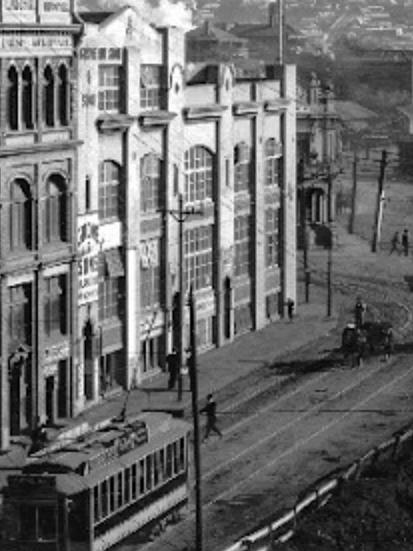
[154, 131]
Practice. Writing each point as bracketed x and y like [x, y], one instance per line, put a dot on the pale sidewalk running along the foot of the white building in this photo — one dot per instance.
[221, 367]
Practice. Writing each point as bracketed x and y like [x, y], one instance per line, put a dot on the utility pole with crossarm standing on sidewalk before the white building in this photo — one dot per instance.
[180, 216]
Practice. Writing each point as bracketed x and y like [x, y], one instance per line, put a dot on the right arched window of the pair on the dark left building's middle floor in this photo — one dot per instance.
[55, 210]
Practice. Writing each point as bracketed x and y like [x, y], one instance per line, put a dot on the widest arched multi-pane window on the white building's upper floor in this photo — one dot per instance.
[199, 174]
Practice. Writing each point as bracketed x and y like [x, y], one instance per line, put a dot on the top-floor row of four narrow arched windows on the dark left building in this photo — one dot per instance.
[22, 94]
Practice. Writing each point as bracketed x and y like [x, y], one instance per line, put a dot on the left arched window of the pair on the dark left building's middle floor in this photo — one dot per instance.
[20, 216]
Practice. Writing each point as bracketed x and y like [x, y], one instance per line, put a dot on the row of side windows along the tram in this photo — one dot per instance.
[128, 485]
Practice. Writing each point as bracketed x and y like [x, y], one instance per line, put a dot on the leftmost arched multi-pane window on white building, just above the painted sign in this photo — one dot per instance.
[109, 191]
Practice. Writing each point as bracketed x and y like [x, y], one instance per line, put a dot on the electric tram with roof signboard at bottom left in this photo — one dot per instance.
[100, 488]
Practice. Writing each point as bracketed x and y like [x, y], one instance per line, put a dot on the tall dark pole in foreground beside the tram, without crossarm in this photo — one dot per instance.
[195, 416]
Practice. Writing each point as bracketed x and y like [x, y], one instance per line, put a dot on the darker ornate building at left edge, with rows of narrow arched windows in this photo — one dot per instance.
[38, 167]
